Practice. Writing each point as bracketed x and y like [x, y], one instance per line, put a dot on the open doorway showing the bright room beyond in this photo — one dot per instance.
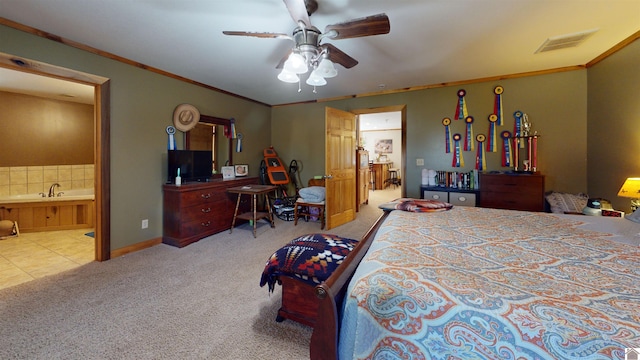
[382, 132]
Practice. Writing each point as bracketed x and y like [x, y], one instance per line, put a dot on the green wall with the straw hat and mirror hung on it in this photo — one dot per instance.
[142, 104]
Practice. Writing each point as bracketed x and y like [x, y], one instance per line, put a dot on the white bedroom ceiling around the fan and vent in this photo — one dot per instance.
[431, 41]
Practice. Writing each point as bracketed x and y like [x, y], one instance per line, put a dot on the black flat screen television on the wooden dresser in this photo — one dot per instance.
[194, 165]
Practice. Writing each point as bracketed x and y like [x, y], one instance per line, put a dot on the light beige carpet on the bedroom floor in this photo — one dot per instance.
[199, 302]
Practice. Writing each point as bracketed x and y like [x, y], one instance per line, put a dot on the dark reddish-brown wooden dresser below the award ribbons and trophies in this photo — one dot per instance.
[512, 191]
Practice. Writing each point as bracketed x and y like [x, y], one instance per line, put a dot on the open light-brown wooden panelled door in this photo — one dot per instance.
[340, 167]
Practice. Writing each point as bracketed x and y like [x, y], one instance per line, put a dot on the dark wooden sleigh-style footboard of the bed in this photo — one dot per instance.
[330, 294]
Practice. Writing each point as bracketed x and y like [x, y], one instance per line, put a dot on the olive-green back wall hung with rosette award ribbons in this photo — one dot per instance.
[556, 105]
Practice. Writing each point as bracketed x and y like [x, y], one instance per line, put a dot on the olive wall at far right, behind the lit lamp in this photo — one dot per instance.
[614, 124]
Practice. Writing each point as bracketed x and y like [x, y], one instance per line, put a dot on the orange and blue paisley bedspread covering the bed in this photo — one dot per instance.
[474, 283]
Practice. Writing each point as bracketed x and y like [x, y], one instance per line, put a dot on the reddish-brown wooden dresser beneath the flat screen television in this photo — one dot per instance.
[196, 210]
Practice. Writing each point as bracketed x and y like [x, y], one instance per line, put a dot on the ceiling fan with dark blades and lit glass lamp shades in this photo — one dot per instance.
[309, 51]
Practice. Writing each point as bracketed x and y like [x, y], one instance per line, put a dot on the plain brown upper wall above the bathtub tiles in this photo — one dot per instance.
[38, 131]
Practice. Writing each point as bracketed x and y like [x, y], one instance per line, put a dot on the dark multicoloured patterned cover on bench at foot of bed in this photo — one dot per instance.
[311, 258]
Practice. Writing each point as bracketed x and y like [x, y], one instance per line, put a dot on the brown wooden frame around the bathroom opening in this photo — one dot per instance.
[102, 140]
